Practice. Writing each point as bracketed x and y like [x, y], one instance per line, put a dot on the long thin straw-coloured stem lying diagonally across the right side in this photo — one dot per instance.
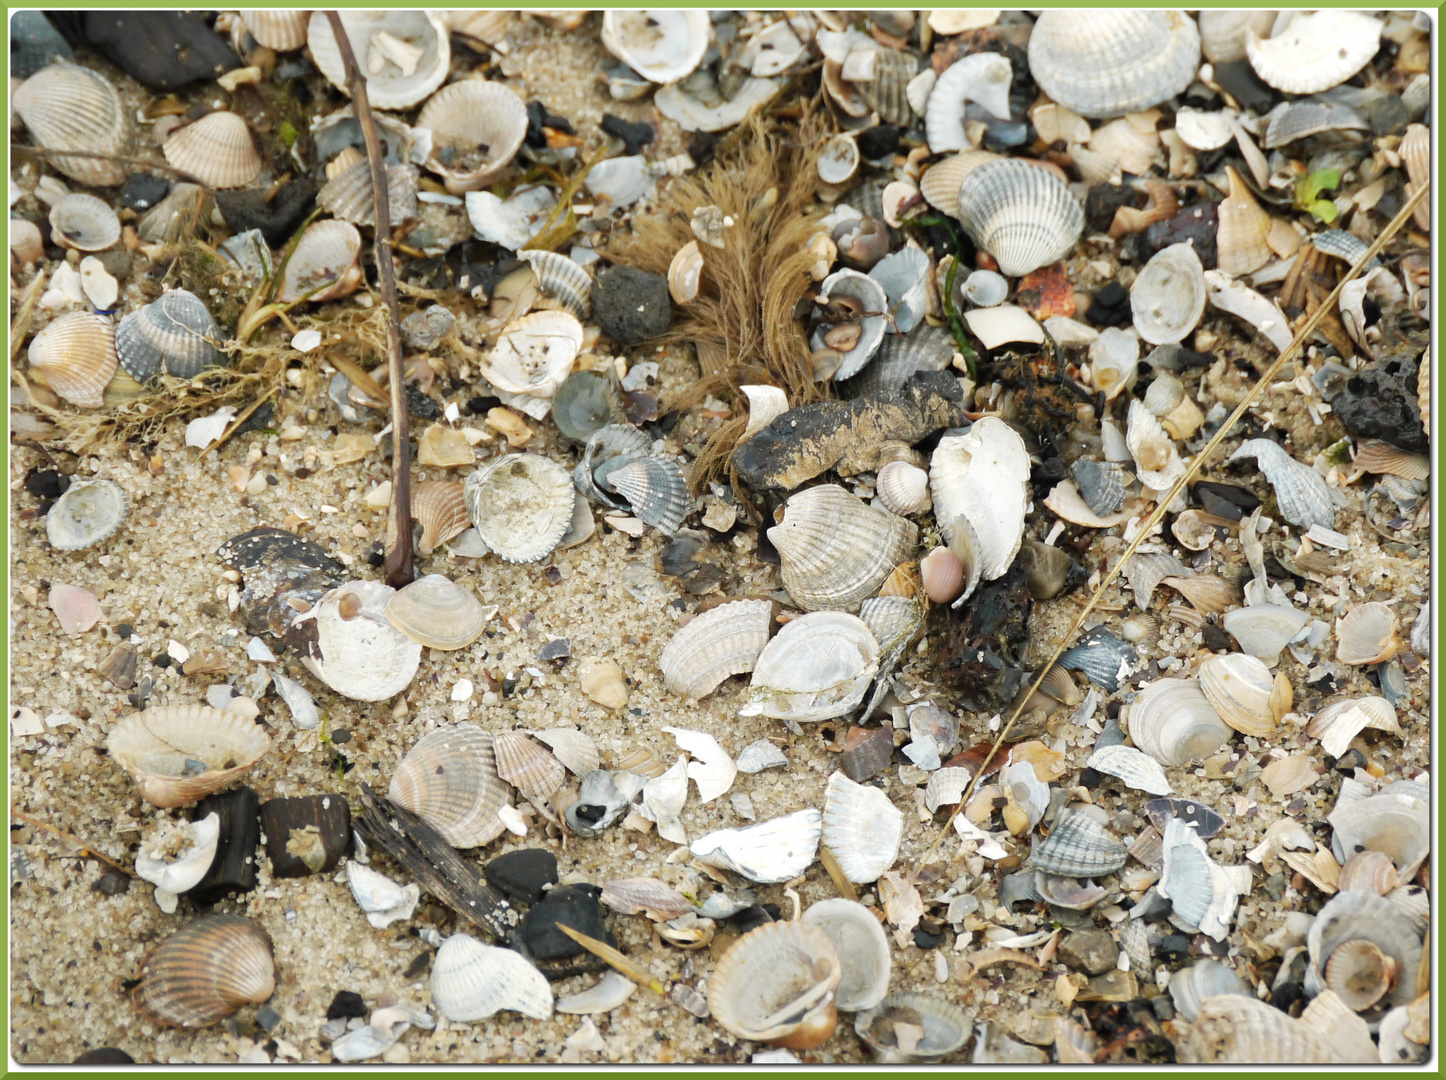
[1158, 515]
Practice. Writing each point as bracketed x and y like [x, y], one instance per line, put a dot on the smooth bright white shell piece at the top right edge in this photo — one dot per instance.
[1317, 51]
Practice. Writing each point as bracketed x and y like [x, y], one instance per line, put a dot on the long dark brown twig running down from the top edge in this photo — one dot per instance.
[400, 557]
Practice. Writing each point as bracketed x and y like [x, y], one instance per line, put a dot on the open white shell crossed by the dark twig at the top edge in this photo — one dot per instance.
[406, 54]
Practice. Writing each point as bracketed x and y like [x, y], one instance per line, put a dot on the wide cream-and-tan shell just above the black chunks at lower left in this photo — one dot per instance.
[181, 754]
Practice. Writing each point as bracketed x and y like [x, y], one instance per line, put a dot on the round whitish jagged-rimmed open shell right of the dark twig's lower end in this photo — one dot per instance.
[523, 505]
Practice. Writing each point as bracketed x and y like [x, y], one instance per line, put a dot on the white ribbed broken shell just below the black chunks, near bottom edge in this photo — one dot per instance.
[472, 981]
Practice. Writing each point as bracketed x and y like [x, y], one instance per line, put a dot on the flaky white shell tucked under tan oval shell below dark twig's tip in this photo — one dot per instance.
[356, 651]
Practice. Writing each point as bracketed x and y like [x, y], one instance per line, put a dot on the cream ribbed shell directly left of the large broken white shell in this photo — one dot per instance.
[837, 550]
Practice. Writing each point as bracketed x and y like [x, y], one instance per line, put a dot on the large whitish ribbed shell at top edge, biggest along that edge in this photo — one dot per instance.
[1110, 63]
